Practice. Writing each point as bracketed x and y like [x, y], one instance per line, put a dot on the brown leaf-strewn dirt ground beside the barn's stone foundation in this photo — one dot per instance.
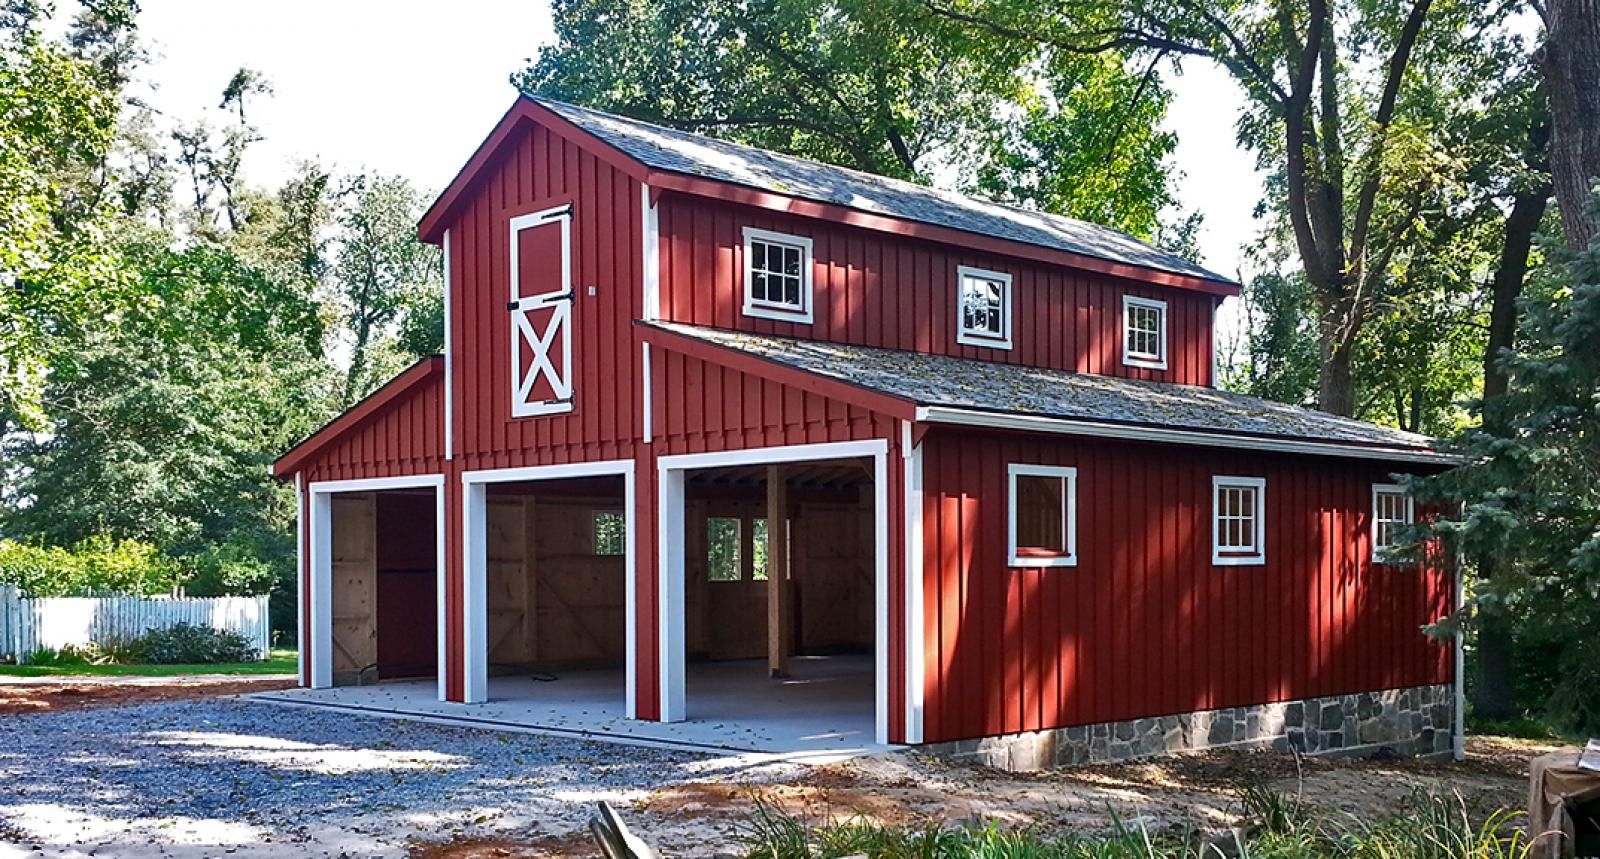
[1196, 789]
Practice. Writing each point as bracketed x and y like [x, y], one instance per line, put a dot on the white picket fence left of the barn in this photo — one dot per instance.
[33, 623]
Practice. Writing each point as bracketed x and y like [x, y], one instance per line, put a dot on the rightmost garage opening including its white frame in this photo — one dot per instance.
[775, 577]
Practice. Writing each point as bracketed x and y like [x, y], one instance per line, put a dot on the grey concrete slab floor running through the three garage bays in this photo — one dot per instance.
[822, 714]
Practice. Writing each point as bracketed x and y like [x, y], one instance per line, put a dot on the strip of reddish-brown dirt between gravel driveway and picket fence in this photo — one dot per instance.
[52, 695]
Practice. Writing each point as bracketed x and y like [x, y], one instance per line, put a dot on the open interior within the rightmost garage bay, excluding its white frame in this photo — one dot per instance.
[778, 617]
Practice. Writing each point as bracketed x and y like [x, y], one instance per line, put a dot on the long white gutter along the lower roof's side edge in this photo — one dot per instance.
[1098, 429]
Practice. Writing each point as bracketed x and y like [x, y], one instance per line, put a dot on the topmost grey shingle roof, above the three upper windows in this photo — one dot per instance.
[727, 162]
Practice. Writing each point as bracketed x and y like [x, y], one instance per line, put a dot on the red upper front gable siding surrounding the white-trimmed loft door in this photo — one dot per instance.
[540, 170]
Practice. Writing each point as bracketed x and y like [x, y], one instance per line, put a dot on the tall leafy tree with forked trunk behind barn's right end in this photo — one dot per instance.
[1343, 100]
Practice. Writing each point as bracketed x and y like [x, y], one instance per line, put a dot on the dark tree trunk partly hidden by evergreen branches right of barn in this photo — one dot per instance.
[1495, 697]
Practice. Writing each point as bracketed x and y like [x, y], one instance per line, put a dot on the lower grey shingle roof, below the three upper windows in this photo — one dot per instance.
[1010, 390]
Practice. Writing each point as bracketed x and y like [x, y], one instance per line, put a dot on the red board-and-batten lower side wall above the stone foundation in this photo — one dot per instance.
[1145, 625]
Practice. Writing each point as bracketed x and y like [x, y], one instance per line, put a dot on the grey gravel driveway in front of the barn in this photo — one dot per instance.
[218, 777]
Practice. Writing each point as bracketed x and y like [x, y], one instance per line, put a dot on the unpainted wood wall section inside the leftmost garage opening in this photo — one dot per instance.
[354, 586]
